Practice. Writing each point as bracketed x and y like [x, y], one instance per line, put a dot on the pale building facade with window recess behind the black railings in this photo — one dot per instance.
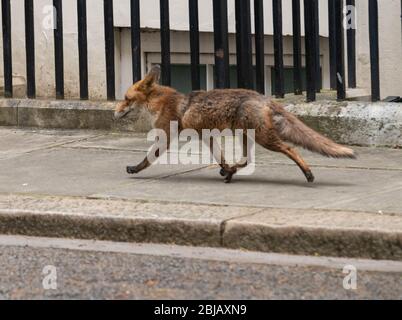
[390, 45]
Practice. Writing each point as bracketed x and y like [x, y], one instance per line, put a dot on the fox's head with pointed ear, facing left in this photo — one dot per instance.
[137, 95]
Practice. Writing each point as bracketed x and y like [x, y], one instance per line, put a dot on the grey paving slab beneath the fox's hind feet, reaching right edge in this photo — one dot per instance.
[278, 186]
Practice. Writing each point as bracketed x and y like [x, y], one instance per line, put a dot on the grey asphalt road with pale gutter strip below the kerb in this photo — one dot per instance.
[104, 270]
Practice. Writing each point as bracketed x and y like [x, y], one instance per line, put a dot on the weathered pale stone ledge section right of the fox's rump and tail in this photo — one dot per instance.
[354, 123]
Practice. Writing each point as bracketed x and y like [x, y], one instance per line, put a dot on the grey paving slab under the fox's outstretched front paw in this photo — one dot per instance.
[76, 172]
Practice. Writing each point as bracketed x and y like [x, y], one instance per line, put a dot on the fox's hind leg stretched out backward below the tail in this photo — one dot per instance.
[273, 143]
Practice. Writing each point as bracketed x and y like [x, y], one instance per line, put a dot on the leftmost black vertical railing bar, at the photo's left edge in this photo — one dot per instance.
[7, 49]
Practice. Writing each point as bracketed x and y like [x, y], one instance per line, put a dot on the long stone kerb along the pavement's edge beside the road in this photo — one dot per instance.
[313, 232]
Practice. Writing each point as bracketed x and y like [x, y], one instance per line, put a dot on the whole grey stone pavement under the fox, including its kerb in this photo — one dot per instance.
[73, 184]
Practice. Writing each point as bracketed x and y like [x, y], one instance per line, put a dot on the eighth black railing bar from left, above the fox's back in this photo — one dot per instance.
[194, 44]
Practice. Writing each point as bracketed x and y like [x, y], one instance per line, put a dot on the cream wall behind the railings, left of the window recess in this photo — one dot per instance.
[44, 50]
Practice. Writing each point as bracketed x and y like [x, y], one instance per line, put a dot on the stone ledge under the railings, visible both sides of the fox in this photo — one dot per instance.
[354, 123]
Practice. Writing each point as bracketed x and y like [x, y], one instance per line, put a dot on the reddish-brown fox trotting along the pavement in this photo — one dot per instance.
[226, 109]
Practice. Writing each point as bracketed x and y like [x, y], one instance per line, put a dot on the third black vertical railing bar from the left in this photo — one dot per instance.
[58, 49]
